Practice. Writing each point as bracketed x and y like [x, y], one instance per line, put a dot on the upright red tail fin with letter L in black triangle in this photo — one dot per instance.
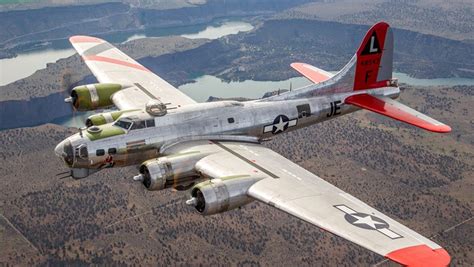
[374, 58]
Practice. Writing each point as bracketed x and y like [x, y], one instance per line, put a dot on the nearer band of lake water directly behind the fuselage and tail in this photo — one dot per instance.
[208, 85]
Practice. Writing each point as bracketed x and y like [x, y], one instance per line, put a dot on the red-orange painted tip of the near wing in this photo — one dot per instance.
[420, 255]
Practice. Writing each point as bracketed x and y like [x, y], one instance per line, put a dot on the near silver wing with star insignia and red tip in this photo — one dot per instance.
[290, 188]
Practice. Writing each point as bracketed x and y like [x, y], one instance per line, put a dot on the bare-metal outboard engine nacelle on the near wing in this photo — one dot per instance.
[222, 194]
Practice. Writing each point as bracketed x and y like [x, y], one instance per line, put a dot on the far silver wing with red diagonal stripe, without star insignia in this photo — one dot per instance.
[110, 65]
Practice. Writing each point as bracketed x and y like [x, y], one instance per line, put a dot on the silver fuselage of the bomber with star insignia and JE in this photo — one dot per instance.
[259, 119]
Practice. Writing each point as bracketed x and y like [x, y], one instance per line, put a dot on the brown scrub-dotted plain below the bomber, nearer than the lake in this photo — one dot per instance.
[421, 179]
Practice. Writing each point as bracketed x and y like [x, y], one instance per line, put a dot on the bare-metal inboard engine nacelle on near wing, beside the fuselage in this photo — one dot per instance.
[175, 171]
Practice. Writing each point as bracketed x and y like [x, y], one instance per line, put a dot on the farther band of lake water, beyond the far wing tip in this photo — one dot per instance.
[25, 64]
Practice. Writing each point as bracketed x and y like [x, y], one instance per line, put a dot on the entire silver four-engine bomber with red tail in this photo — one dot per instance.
[214, 149]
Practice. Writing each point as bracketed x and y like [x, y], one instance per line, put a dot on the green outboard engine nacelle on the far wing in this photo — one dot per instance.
[93, 96]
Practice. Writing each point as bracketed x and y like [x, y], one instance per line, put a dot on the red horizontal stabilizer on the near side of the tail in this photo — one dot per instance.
[396, 110]
